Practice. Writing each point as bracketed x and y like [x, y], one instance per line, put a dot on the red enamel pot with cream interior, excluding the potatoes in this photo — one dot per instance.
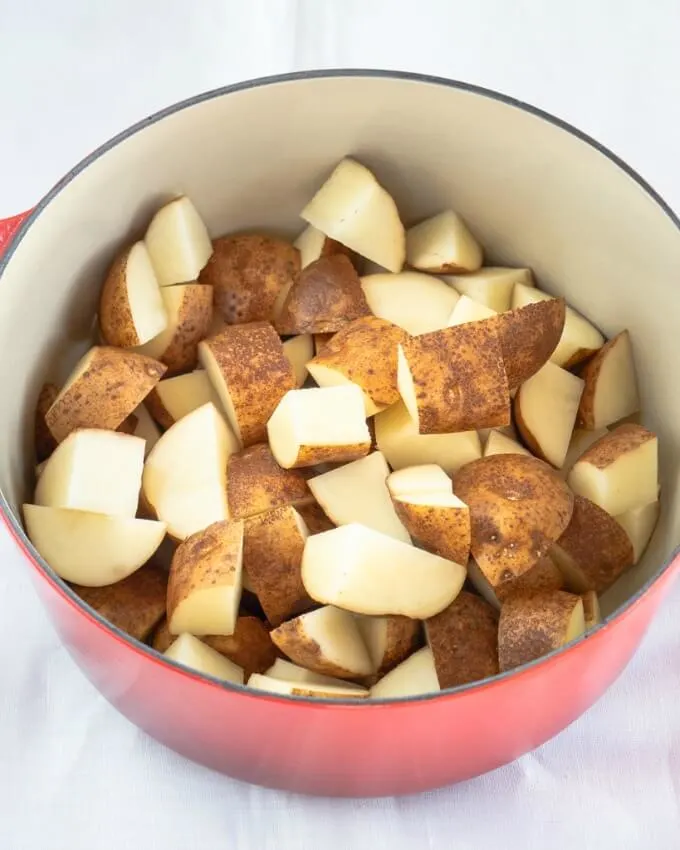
[538, 193]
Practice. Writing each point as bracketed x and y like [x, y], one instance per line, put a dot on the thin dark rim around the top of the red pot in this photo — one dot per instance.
[15, 527]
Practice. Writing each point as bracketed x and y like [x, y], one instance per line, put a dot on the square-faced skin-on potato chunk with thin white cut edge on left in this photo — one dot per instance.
[454, 379]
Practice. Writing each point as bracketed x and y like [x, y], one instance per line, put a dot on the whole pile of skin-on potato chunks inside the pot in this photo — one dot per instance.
[366, 486]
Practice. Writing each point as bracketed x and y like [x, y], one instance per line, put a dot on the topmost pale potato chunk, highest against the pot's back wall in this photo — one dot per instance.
[354, 209]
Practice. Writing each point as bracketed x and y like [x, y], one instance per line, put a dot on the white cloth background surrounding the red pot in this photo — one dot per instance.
[73, 773]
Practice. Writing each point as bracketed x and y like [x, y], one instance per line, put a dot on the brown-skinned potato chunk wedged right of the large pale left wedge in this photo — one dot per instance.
[256, 483]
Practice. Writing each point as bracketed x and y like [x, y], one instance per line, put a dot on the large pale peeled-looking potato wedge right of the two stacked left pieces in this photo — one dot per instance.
[184, 479]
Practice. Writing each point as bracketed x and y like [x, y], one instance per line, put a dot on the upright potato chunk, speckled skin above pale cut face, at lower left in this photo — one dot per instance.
[204, 587]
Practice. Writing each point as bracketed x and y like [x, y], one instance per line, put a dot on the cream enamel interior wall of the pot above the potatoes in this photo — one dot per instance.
[560, 206]
